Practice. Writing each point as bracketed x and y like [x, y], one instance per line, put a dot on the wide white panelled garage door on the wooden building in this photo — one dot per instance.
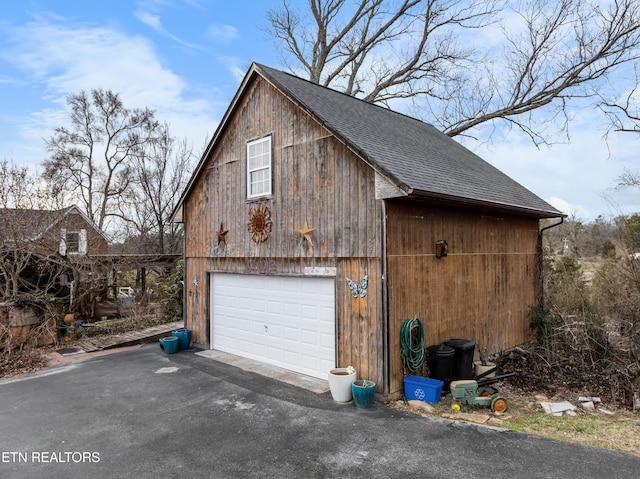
[285, 321]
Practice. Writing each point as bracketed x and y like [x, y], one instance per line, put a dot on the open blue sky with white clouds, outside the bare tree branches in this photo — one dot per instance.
[185, 59]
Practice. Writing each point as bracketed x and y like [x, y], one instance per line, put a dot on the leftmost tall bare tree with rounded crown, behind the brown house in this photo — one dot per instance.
[90, 159]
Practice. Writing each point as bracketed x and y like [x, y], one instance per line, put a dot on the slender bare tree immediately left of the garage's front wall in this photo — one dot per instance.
[159, 173]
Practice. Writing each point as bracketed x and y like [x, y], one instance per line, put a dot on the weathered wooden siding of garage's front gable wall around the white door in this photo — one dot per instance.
[315, 180]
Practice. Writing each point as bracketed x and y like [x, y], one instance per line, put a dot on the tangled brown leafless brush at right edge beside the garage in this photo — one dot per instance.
[586, 336]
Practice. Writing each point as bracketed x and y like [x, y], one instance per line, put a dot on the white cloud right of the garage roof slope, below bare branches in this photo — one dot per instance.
[576, 177]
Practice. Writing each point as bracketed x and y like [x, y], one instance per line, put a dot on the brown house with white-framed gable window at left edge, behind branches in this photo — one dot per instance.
[43, 252]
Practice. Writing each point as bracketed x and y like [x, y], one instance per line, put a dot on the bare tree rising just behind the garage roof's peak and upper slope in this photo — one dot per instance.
[378, 50]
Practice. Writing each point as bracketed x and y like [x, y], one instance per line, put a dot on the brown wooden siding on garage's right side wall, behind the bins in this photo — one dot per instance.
[481, 291]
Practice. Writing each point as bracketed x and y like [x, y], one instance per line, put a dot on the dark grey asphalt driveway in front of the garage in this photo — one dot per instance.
[144, 414]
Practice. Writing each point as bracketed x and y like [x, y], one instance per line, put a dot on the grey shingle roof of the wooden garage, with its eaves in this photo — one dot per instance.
[413, 155]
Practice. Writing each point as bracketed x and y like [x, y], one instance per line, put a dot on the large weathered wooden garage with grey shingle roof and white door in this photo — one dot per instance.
[316, 223]
